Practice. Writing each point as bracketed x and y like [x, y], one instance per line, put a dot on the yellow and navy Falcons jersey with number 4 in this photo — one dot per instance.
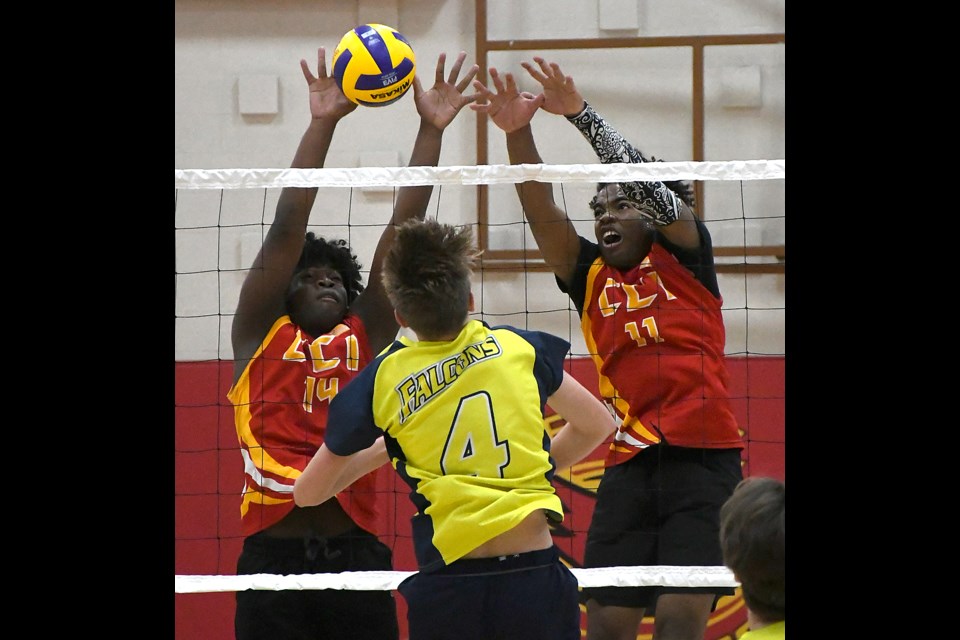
[463, 425]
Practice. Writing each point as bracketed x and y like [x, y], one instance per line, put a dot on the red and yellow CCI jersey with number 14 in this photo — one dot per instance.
[280, 411]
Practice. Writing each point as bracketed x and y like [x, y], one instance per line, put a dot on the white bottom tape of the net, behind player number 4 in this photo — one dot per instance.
[384, 580]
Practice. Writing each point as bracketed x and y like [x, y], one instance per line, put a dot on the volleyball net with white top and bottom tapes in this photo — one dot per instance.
[222, 216]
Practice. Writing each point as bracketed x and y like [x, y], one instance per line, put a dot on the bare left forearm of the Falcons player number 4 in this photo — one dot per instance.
[327, 474]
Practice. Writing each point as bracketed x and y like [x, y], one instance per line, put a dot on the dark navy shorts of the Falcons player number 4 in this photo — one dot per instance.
[529, 596]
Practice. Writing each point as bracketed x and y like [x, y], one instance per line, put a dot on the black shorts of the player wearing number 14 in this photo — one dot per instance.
[332, 614]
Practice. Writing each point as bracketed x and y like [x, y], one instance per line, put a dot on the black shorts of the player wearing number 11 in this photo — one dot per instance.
[661, 507]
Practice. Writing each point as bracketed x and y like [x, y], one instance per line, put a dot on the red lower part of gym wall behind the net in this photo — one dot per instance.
[209, 479]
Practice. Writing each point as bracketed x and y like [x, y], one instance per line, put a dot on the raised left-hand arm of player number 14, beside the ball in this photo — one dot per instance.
[263, 293]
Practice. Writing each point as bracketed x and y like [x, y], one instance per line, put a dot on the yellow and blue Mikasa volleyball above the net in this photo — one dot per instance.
[373, 65]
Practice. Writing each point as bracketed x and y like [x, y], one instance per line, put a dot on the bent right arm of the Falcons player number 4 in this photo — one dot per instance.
[589, 422]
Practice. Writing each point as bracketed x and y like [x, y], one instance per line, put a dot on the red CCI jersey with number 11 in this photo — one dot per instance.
[656, 336]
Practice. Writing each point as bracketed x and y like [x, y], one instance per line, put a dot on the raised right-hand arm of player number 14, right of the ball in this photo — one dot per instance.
[438, 107]
